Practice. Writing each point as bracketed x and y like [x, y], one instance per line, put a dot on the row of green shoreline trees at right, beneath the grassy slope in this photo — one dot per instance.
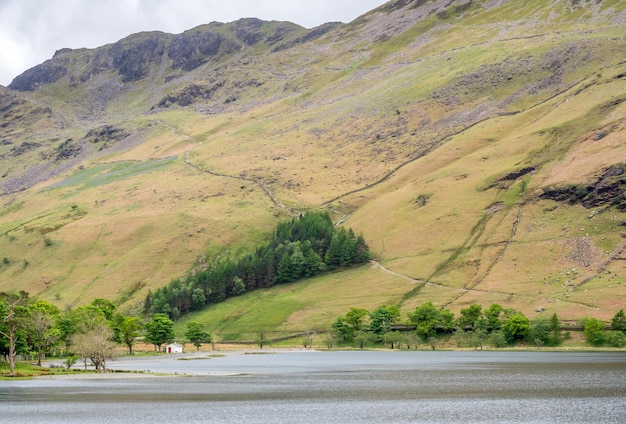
[495, 325]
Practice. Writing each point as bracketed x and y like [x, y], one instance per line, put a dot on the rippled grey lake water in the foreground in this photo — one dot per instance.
[335, 387]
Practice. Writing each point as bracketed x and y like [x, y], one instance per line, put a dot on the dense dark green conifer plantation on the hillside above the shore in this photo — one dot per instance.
[299, 248]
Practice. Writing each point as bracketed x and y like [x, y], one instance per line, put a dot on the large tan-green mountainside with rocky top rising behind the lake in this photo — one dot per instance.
[478, 146]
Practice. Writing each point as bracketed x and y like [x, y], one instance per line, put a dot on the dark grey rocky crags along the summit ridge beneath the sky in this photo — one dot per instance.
[135, 57]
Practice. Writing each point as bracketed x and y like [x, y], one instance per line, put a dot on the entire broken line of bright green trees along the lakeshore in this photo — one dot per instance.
[93, 333]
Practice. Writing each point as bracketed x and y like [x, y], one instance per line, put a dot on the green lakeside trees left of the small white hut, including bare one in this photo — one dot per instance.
[90, 334]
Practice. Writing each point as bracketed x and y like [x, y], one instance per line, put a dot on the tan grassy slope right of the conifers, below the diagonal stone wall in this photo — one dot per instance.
[526, 253]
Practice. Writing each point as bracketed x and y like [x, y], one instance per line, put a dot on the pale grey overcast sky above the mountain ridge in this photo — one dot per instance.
[32, 30]
